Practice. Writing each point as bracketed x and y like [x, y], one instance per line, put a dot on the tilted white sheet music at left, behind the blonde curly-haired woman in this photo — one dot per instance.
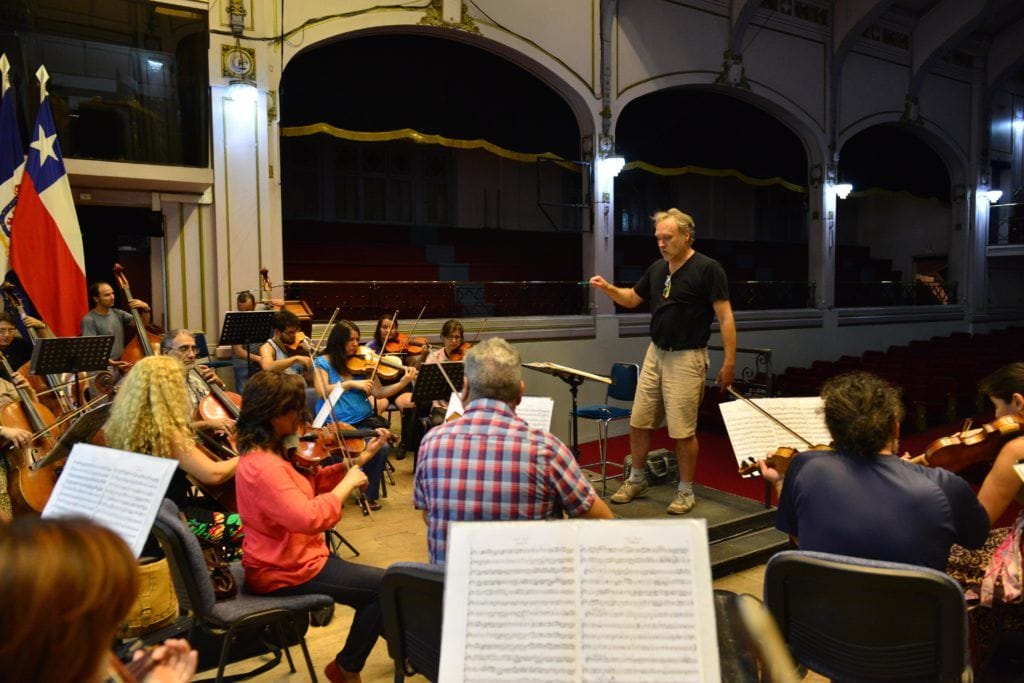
[119, 490]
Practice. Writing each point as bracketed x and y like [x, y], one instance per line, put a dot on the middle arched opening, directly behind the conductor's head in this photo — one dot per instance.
[738, 170]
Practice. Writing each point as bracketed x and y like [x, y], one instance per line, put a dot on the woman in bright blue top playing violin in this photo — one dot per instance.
[362, 399]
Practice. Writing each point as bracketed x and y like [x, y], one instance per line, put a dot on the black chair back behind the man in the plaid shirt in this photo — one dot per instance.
[413, 605]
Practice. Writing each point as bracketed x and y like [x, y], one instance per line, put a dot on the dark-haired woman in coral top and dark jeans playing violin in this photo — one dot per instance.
[288, 509]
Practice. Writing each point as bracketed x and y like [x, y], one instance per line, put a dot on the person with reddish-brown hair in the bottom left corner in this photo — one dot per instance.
[68, 586]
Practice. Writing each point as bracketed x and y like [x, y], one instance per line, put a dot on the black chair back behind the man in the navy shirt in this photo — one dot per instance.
[859, 620]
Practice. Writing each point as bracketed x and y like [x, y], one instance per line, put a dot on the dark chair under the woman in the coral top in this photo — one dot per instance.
[229, 618]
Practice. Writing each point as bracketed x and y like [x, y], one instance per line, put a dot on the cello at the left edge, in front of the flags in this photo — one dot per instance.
[30, 488]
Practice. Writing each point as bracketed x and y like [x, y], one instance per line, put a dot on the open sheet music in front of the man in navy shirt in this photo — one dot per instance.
[753, 436]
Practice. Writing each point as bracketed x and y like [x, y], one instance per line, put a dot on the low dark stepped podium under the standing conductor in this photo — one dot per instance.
[742, 532]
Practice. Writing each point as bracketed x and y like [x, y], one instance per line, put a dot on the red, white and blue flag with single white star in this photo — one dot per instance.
[47, 242]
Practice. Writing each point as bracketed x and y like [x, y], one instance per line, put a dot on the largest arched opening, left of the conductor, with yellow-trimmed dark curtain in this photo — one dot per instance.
[451, 181]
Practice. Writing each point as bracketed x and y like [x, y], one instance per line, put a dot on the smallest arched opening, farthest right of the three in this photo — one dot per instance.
[893, 233]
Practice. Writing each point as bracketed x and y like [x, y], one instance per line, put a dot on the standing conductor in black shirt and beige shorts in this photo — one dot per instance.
[687, 291]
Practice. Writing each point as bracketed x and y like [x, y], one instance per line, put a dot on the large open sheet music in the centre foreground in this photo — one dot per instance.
[554, 602]
